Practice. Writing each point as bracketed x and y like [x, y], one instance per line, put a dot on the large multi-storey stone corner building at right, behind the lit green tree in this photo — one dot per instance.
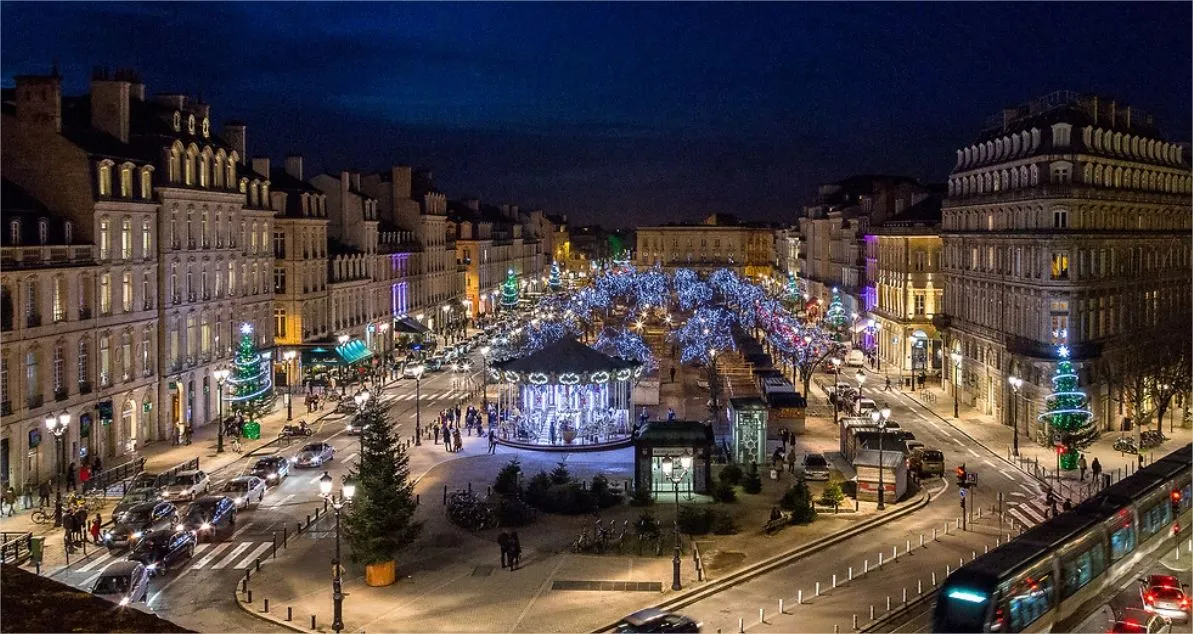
[1067, 223]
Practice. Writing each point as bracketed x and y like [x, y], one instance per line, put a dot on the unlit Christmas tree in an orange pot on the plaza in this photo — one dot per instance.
[381, 520]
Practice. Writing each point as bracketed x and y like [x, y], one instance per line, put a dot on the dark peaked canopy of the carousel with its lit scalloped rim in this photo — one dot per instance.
[567, 362]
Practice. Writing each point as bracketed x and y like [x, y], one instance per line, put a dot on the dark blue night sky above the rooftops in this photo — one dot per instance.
[622, 114]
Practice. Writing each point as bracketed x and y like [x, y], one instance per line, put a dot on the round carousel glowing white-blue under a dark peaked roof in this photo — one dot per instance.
[566, 397]
